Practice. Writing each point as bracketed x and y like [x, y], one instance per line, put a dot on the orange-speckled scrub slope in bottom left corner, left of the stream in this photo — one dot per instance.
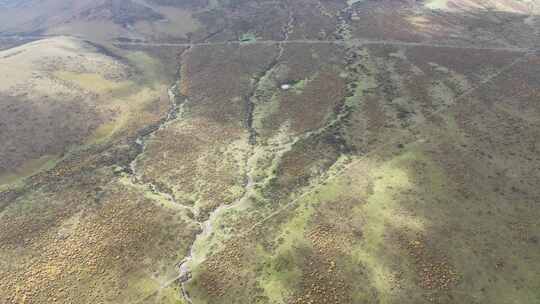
[94, 251]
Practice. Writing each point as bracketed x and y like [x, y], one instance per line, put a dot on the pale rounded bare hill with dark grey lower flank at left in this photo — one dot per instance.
[52, 95]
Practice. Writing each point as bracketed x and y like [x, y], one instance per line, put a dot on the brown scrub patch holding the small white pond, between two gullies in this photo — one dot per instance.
[316, 90]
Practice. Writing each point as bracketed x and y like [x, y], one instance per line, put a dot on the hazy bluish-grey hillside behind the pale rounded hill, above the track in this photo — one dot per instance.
[100, 20]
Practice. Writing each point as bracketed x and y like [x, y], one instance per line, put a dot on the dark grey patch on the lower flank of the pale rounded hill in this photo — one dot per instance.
[33, 129]
